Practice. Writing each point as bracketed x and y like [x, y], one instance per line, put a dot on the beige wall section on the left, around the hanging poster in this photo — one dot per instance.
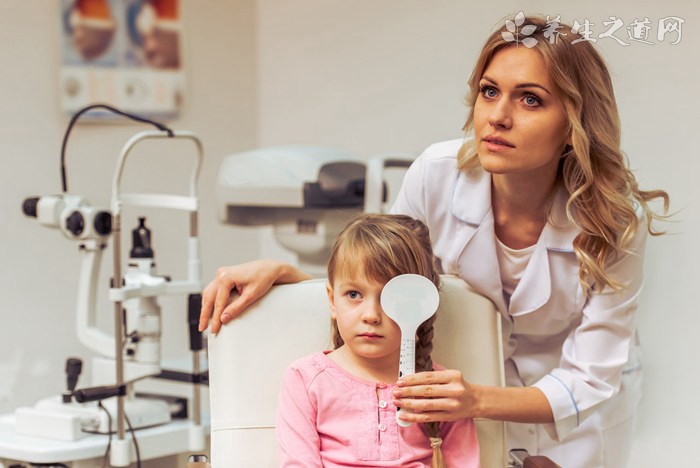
[38, 267]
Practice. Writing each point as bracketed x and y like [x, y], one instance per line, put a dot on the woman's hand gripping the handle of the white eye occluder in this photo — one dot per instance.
[435, 396]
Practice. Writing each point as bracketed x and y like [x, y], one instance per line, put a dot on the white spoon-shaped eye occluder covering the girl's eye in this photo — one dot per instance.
[409, 300]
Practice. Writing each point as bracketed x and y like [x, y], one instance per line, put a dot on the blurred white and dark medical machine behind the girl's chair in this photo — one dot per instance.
[306, 193]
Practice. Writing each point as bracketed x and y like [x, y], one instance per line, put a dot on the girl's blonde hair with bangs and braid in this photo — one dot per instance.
[380, 247]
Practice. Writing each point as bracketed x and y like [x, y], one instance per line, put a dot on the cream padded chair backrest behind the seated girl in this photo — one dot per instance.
[248, 356]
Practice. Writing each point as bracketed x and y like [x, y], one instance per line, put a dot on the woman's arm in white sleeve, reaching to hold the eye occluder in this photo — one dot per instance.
[593, 358]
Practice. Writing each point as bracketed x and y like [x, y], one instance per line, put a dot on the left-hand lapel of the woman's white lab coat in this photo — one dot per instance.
[477, 262]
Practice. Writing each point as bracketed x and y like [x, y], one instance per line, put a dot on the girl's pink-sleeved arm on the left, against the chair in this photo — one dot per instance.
[297, 437]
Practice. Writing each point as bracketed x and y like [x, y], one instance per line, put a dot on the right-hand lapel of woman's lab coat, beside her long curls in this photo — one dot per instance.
[535, 287]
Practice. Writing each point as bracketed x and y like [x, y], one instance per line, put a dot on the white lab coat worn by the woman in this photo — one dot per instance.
[580, 350]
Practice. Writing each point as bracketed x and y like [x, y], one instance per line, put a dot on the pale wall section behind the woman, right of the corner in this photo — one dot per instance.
[373, 76]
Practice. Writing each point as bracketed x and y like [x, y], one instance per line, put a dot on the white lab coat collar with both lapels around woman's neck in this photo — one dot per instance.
[478, 264]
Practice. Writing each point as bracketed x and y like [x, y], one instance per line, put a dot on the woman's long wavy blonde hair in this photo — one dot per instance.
[603, 192]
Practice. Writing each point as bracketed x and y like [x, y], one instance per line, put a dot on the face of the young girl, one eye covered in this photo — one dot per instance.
[367, 331]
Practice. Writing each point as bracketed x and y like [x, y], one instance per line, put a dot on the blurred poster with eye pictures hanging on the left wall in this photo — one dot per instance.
[125, 53]
